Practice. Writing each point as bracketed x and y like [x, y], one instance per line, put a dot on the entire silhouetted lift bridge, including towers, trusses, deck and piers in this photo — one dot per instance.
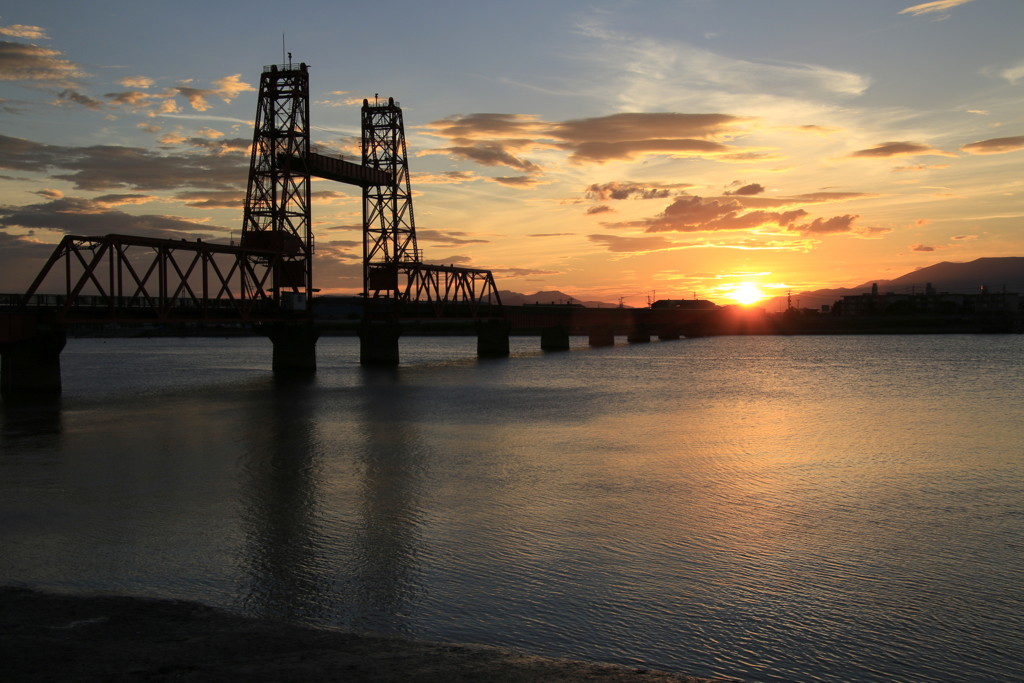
[267, 280]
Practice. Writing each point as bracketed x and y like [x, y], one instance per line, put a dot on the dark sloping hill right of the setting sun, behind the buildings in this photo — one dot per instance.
[995, 273]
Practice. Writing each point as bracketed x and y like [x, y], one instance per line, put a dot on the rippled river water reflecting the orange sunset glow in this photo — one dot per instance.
[771, 508]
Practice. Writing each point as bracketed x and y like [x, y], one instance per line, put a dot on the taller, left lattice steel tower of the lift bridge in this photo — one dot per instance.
[278, 210]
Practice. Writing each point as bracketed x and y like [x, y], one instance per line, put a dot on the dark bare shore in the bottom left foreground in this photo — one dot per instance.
[90, 637]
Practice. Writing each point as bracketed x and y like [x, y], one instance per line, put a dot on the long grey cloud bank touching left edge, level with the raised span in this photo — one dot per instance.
[102, 168]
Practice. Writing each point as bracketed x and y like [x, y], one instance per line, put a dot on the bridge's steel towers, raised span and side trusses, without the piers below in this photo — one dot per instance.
[269, 276]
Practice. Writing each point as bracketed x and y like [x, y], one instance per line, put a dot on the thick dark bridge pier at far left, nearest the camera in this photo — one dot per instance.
[32, 366]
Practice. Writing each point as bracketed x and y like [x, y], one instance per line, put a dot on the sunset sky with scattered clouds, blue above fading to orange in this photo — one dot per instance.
[613, 150]
